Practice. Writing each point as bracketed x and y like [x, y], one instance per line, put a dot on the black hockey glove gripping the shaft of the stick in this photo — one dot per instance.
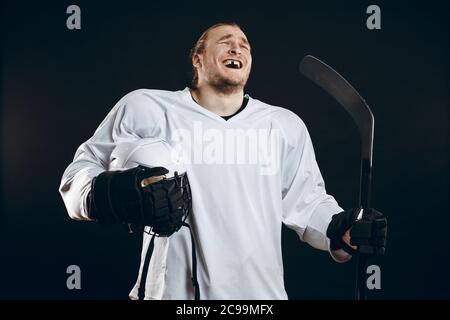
[368, 233]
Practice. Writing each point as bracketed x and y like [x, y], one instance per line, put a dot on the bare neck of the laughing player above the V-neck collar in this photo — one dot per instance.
[223, 104]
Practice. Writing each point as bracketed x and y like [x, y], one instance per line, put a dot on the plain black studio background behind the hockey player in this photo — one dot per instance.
[58, 84]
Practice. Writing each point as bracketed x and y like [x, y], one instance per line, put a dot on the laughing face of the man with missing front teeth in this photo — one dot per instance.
[226, 61]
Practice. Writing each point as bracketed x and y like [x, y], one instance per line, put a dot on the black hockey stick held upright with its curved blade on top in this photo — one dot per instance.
[333, 83]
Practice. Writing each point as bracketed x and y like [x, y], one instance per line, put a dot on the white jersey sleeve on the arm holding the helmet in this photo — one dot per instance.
[128, 119]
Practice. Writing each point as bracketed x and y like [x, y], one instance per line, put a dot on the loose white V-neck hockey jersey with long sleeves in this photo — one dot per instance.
[248, 175]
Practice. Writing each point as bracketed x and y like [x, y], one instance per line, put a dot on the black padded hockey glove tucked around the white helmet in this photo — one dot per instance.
[119, 197]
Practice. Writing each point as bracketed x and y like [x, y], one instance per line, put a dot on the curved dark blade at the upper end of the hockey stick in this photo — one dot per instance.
[343, 92]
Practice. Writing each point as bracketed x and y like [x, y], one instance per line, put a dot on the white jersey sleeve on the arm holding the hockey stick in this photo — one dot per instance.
[307, 208]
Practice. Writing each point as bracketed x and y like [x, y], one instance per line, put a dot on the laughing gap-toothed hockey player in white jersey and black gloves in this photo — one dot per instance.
[251, 167]
